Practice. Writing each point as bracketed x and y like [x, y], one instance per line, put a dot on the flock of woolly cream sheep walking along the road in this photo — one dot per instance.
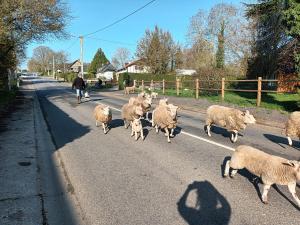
[270, 169]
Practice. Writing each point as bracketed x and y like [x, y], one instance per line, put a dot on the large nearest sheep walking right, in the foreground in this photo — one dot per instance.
[271, 169]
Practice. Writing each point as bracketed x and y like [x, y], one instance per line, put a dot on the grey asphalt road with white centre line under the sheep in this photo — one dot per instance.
[120, 181]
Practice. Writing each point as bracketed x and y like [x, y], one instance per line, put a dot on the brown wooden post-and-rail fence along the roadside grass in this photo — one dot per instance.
[197, 87]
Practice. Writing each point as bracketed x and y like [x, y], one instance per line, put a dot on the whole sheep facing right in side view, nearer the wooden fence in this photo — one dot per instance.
[233, 119]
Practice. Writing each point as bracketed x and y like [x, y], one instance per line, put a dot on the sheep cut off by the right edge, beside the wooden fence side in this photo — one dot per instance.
[292, 127]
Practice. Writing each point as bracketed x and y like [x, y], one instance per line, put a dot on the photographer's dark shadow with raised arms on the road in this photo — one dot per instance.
[210, 208]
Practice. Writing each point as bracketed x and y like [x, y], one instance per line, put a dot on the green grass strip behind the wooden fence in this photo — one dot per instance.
[280, 102]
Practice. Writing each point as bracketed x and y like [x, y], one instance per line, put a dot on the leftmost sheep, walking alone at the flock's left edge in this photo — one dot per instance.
[103, 115]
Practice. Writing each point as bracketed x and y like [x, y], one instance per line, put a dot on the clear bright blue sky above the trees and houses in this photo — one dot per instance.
[91, 15]
